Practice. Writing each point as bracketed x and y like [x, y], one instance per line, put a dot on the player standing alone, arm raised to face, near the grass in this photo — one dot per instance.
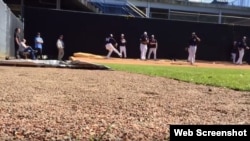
[193, 47]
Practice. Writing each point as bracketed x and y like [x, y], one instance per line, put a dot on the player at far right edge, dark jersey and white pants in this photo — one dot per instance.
[242, 45]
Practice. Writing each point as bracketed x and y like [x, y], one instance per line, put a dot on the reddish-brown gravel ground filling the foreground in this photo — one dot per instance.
[69, 104]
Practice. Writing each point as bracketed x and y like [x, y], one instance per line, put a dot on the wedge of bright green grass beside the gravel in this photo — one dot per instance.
[236, 79]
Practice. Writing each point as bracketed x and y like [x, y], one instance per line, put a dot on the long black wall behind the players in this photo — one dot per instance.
[86, 32]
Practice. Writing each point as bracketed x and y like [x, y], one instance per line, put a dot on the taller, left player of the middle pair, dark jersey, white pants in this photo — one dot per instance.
[144, 45]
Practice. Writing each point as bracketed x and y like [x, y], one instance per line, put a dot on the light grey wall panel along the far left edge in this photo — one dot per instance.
[8, 23]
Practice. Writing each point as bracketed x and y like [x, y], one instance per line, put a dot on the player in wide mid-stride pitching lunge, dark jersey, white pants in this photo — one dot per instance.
[111, 45]
